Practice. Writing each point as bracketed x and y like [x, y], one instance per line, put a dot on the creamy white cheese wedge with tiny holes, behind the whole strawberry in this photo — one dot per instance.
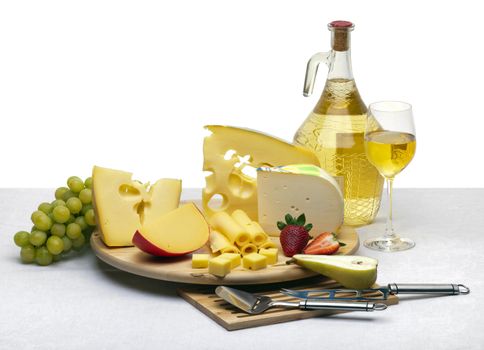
[298, 189]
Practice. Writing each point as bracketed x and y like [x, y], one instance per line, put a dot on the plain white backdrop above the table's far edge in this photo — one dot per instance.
[130, 84]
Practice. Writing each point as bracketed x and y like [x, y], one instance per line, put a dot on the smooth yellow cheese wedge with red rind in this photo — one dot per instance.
[178, 232]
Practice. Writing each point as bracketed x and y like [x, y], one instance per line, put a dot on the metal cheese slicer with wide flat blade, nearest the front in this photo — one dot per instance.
[256, 304]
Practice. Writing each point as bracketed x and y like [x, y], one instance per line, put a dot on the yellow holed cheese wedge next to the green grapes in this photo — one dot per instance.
[122, 204]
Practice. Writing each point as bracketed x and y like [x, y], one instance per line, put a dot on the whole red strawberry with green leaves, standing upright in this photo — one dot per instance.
[294, 234]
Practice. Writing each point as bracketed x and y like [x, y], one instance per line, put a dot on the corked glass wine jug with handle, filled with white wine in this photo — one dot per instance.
[335, 128]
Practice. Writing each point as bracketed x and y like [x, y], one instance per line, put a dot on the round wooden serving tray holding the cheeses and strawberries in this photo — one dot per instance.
[179, 269]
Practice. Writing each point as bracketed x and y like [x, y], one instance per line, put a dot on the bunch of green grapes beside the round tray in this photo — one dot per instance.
[60, 226]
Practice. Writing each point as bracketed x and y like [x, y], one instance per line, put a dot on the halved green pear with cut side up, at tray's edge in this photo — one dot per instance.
[355, 272]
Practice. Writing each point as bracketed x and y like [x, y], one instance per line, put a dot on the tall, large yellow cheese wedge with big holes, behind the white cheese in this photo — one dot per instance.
[231, 157]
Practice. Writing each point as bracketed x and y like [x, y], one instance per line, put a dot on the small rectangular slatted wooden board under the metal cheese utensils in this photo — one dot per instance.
[231, 318]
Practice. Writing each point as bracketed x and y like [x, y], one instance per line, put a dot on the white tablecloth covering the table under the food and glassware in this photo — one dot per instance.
[82, 303]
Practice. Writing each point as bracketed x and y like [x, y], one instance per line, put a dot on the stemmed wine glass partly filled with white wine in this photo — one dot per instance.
[390, 145]
